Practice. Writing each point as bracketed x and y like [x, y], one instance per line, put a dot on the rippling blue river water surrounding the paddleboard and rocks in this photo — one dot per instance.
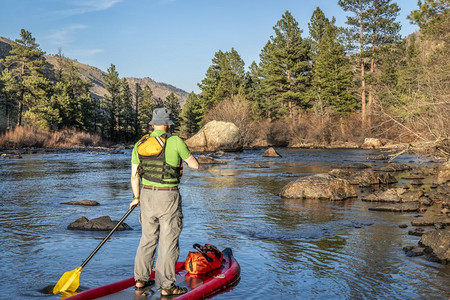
[287, 249]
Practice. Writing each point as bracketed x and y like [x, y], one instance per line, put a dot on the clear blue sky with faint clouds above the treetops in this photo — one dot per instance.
[170, 41]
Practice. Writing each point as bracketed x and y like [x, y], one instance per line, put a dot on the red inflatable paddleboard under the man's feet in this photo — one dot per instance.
[199, 286]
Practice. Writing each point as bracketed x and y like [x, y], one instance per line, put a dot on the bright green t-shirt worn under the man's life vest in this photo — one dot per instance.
[175, 151]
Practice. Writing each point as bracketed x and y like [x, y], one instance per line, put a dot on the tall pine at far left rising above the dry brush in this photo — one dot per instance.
[25, 81]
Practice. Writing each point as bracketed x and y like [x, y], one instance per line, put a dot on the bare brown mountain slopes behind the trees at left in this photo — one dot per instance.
[95, 76]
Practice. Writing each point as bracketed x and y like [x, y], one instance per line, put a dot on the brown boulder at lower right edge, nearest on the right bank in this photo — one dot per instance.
[437, 242]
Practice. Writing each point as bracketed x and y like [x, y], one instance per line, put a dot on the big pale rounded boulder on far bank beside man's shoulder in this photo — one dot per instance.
[217, 136]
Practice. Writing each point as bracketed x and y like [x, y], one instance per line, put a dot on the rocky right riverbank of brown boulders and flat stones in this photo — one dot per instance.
[395, 188]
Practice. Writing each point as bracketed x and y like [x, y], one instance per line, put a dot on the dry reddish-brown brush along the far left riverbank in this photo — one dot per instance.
[25, 136]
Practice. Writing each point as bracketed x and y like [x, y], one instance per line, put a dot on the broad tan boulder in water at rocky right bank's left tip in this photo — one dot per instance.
[320, 186]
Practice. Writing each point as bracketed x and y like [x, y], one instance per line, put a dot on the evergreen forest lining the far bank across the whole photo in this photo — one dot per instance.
[321, 85]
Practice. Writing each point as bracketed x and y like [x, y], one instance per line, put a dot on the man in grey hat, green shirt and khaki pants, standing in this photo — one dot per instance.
[157, 161]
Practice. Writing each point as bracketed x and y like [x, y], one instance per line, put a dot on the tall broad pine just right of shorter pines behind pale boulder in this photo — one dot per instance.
[285, 69]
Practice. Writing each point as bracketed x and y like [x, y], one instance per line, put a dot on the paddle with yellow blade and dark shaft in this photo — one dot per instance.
[70, 280]
